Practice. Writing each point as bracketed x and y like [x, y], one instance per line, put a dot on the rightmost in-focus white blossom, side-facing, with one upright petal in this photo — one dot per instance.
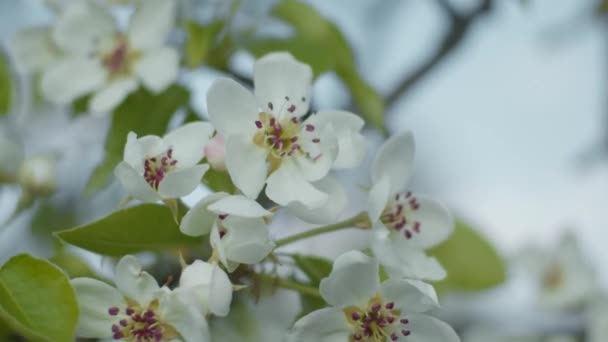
[404, 224]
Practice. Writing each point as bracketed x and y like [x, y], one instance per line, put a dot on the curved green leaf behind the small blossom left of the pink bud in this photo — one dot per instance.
[143, 113]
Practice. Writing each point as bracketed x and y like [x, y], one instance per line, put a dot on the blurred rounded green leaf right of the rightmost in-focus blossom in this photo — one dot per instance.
[470, 260]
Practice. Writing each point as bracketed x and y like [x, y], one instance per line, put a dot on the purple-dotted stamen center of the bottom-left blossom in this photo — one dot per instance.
[140, 324]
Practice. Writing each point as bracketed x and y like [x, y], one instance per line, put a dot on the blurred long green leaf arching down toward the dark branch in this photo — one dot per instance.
[320, 43]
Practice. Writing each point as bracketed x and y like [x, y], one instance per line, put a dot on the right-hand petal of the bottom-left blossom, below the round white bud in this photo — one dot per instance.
[189, 323]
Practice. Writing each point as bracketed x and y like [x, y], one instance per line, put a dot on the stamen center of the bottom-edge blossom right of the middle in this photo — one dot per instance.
[377, 322]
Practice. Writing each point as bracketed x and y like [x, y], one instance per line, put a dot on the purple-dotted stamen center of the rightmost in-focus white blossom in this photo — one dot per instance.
[395, 214]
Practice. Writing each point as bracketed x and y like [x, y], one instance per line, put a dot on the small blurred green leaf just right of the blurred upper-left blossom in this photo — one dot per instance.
[203, 45]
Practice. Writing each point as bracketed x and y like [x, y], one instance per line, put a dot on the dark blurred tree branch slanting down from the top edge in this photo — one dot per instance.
[458, 29]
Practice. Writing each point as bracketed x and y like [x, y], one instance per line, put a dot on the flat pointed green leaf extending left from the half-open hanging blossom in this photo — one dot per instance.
[141, 228]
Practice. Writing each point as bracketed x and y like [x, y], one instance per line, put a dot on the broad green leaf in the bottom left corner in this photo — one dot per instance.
[37, 300]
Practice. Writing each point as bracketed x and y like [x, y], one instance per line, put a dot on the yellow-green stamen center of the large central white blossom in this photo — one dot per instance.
[284, 137]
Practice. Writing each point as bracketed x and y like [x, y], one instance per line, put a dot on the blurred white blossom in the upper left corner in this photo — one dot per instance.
[84, 52]
